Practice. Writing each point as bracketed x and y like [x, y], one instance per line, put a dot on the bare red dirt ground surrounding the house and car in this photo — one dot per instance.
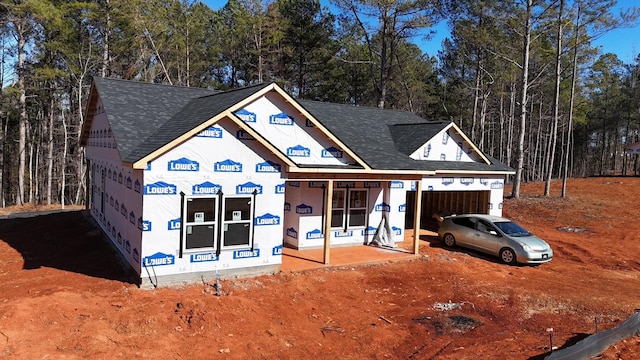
[61, 296]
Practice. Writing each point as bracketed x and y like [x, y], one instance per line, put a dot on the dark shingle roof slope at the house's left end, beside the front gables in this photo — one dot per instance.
[144, 117]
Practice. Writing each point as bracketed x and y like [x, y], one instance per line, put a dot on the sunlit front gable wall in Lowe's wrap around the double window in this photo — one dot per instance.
[216, 159]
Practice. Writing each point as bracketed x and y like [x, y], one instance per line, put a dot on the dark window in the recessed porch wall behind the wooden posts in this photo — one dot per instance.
[351, 212]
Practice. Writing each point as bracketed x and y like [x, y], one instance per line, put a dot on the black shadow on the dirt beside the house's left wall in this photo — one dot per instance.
[66, 241]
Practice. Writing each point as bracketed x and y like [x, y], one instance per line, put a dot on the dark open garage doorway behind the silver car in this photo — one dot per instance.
[445, 202]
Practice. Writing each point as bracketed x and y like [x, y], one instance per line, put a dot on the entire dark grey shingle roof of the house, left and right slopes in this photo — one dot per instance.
[144, 117]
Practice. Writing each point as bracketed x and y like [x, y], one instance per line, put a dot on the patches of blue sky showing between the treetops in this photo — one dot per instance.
[624, 42]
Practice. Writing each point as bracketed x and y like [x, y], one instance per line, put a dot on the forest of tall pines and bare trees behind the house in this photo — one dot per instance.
[522, 78]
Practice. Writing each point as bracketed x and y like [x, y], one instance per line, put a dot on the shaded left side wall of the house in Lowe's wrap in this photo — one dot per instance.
[116, 201]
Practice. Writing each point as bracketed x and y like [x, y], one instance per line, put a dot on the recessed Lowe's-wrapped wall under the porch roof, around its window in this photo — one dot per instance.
[304, 221]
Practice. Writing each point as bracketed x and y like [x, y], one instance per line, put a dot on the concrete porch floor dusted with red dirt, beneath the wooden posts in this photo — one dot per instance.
[298, 260]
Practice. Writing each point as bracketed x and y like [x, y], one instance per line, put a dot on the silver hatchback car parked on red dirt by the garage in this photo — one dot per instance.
[496, 236]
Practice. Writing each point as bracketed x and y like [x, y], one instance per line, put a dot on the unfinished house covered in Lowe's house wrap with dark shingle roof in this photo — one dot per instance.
[191, 182]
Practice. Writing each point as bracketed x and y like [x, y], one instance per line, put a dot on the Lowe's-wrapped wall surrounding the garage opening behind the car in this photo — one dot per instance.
[494, 184]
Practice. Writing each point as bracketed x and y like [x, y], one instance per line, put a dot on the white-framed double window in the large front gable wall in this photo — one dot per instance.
[204, 230]
